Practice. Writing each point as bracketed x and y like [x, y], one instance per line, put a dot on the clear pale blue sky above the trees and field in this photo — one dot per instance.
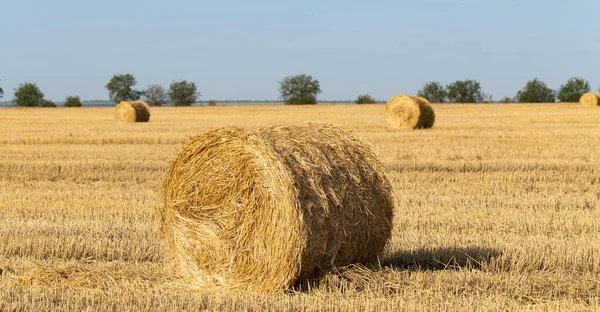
[236, 50]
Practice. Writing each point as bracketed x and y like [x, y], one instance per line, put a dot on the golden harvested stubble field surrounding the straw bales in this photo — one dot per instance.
[497, 208]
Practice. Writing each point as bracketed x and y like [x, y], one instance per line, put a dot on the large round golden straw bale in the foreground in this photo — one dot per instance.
[263, 209]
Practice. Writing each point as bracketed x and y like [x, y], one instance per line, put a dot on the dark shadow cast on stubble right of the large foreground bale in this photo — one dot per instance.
[441, 259]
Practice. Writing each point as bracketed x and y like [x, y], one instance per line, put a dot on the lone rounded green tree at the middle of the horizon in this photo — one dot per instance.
[299, 89]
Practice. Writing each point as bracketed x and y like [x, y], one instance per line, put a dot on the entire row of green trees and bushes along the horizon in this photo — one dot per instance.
[303, 89]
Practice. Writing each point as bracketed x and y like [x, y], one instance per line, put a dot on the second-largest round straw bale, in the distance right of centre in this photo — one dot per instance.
[409, 112]
